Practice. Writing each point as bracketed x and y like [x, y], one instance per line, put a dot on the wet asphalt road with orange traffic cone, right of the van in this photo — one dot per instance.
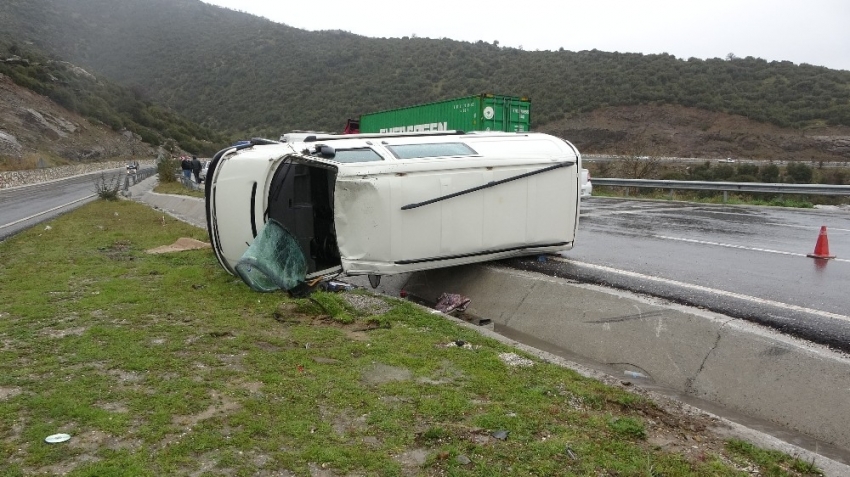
[743, 261]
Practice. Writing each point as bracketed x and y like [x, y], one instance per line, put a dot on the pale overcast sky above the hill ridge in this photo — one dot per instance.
[802, 31]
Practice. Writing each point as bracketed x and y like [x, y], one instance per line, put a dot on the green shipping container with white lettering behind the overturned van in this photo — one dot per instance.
[483, 112]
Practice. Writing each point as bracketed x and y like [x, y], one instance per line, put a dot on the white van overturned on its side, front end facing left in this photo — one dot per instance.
[380, 204]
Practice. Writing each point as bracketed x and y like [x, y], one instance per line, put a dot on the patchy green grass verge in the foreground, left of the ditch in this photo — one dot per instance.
[163, 364]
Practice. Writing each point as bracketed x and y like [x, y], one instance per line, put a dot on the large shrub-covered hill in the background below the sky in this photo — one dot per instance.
[243, 75]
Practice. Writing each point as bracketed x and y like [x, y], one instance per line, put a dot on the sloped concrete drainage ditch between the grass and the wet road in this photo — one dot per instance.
[747, 370]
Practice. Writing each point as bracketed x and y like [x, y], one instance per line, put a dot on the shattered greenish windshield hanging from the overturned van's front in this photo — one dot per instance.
[274, 261]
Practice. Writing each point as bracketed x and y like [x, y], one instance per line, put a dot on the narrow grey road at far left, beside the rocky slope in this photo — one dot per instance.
[23, 207]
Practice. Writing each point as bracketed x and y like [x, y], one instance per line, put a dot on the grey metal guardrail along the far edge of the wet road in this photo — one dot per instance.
[726, 187]
